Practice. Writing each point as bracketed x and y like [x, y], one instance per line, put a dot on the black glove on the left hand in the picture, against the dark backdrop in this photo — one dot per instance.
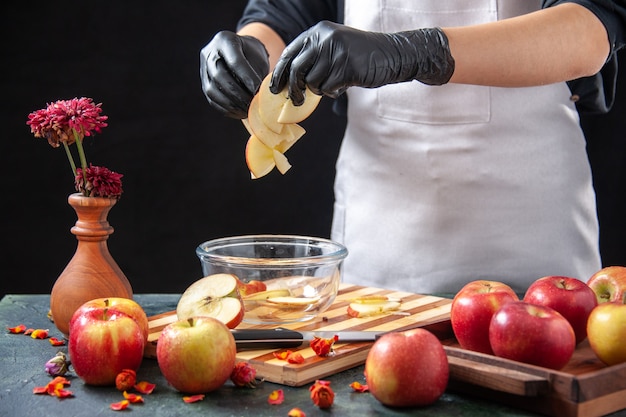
[231, 69]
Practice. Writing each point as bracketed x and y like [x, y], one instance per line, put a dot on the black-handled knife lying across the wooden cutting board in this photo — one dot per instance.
[284, 338]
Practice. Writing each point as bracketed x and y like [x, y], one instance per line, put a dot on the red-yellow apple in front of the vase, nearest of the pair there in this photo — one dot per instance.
[103, 342]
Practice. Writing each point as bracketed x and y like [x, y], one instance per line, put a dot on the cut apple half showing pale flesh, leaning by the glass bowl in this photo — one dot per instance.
[213, 296]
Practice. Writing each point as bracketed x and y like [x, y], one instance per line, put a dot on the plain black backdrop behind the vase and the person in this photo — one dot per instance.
[185, 178]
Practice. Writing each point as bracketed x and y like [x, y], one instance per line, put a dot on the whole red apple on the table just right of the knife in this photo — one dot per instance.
[406, 369]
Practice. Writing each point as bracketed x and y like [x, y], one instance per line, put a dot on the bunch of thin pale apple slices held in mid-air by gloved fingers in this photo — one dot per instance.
[273, 126]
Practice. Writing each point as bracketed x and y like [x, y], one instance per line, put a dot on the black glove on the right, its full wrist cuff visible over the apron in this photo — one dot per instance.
[329, 58]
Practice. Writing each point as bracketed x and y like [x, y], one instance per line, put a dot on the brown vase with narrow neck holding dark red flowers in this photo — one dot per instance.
[92, 272]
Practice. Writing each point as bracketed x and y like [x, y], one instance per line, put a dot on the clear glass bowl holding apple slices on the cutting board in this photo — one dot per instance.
[283, 278]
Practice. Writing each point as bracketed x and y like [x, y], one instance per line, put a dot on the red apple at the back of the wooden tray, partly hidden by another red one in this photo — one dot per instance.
[571, 297]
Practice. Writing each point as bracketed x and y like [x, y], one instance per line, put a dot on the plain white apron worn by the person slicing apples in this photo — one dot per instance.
[438, 186]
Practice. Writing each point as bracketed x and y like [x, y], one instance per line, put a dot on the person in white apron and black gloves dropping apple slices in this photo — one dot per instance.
[463, 157]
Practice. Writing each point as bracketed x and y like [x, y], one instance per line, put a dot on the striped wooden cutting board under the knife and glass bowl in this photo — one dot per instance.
[416, 311]
